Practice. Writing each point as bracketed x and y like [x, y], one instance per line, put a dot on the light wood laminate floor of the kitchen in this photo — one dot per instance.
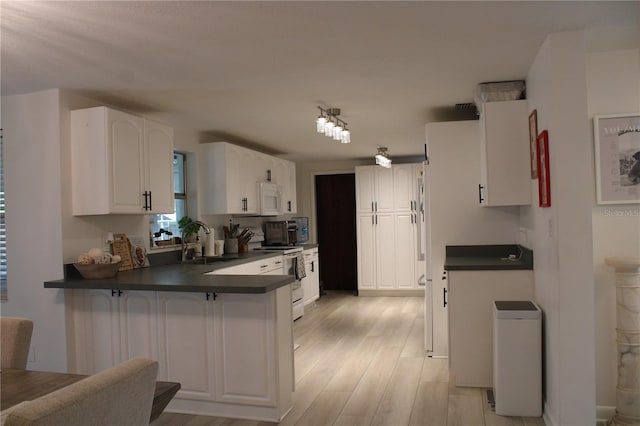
[361, 361]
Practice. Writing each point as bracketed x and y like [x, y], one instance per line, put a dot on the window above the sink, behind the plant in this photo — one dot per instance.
[165, 226]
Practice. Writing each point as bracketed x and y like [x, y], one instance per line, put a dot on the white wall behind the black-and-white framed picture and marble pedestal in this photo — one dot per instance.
[613, 87]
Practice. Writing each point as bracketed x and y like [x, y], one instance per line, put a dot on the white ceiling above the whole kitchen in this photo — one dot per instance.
[255, 72]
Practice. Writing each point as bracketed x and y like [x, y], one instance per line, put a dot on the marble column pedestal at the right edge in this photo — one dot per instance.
[627, 271]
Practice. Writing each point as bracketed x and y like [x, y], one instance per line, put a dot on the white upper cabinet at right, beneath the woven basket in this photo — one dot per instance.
[504, 154]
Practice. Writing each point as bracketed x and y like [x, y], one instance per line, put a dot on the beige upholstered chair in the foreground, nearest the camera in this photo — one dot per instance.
[121, 395]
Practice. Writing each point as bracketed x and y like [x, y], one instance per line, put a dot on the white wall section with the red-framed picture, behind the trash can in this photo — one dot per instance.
[561, 235]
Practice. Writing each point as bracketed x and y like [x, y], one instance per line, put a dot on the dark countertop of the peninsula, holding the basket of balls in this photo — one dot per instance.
[183, 277]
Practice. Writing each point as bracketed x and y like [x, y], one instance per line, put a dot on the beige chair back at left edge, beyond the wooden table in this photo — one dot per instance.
[15, 338]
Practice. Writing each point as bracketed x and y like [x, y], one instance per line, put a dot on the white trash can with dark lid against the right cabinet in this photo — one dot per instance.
[517, 358]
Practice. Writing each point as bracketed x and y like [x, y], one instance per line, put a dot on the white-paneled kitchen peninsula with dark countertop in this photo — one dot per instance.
[228, 339]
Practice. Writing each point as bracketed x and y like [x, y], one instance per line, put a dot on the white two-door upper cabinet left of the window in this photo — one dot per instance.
[120, 163]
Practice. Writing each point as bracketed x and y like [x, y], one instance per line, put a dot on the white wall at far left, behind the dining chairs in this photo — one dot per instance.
[31, 126]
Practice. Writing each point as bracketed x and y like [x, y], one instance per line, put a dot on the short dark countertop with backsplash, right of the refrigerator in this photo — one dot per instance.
[488, 257]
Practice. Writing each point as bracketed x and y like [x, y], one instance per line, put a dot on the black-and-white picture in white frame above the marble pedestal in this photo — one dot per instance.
[617, 152]
